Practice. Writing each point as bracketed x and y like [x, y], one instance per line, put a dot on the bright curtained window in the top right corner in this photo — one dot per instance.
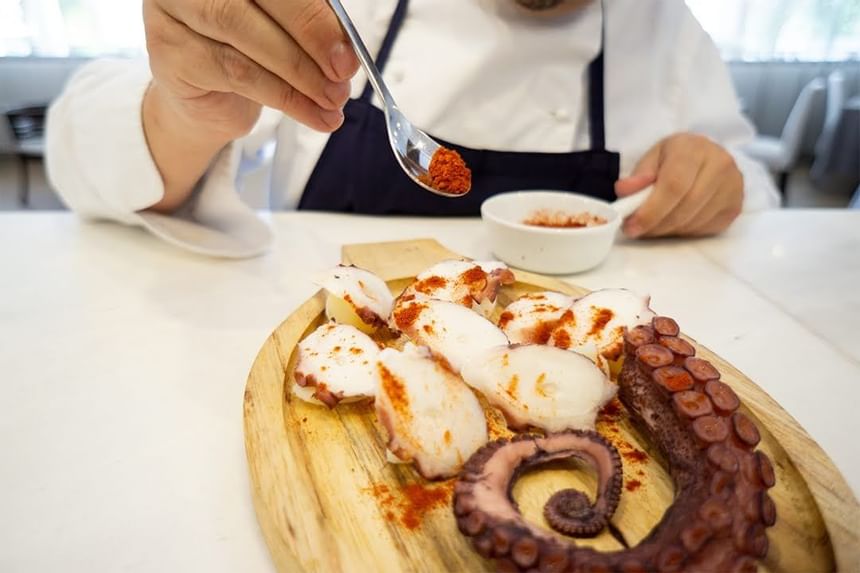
[808, 30]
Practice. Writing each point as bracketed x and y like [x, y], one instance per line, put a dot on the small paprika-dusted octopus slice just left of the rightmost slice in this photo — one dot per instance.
[531, 318]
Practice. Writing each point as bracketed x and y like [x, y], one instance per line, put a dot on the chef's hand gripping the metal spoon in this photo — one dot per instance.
[215, 62]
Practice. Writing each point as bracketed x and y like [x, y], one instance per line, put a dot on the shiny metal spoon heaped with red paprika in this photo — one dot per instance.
[412, 147]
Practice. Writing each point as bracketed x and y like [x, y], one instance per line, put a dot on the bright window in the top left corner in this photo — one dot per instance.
[71, 27]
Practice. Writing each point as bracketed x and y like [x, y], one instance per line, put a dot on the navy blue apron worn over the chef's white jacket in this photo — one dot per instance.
[357, 172]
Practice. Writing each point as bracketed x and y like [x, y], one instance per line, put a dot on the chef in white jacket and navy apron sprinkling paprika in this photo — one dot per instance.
[603, 98]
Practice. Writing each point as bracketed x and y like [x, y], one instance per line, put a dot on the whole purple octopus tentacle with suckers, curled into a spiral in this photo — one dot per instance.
[721, 510]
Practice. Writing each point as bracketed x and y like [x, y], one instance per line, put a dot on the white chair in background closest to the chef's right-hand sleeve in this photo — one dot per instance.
[780, 154]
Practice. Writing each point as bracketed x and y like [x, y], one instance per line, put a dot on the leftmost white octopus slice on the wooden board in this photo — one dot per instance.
[336, 363]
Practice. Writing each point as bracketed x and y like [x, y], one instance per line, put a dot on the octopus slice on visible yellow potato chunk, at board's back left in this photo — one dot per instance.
[357, 297]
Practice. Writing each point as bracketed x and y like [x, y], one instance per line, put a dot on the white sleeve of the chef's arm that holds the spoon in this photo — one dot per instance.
[99, 163]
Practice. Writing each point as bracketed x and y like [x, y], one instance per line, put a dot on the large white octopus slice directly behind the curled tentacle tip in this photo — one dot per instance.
[540, 386]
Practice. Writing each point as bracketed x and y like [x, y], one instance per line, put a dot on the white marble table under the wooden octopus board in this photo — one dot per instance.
[123, 363]
